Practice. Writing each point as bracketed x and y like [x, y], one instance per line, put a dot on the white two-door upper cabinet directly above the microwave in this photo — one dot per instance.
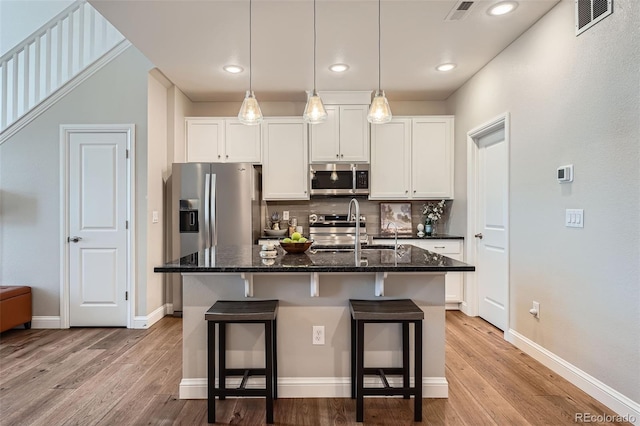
[344, 136]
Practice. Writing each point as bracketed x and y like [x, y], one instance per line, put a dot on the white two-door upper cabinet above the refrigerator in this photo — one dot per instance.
[221, 140]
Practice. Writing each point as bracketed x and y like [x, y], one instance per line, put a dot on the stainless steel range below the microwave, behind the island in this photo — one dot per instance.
[336, 229]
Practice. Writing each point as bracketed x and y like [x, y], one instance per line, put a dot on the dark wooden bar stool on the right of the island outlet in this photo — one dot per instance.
[402, 311]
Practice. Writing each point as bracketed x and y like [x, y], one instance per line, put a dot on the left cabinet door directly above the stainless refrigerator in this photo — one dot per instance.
[204, 140]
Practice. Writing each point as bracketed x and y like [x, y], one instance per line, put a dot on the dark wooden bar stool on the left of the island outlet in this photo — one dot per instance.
[225, 312]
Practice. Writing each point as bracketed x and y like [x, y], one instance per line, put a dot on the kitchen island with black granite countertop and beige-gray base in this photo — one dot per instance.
[313, 289]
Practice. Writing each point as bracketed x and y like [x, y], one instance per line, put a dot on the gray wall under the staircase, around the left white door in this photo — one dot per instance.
[30, 177]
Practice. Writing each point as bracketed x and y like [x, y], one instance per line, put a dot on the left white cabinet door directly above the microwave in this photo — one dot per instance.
[325, 138]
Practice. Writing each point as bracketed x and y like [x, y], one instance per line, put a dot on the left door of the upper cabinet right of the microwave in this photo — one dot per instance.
[390, 160]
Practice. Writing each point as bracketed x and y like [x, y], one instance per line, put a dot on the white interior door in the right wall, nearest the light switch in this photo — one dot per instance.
[492, 227]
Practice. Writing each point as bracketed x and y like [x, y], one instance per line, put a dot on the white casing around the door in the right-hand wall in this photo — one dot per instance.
[470, 305]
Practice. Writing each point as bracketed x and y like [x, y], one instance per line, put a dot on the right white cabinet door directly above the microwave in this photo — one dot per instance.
[354, 133]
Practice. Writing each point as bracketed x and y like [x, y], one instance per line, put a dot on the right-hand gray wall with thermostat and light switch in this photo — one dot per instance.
[572, 100]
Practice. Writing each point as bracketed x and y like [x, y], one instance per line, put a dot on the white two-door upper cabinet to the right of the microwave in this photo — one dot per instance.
[412, 158]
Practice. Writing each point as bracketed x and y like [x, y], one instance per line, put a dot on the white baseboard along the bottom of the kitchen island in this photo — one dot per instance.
[314, 387]
